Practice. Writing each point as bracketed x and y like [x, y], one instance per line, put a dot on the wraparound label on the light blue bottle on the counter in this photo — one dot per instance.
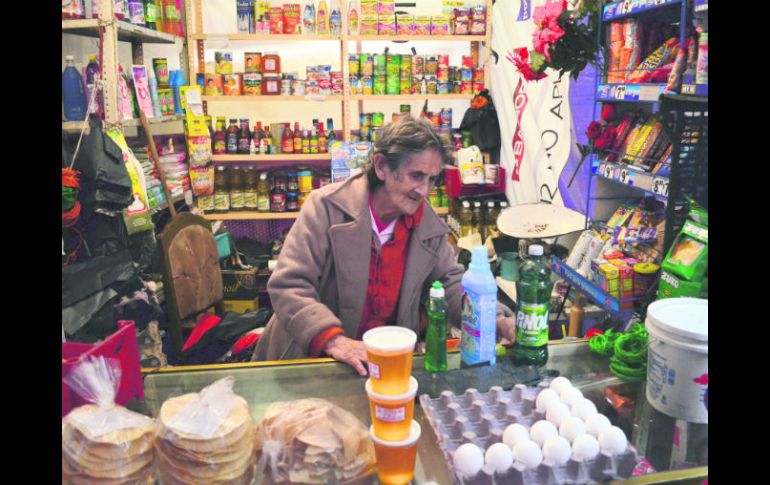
[479, 328]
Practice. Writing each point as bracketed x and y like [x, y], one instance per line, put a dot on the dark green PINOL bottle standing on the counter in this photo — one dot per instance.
[534, 293]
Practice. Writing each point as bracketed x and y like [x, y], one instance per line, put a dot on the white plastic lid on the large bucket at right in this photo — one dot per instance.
[683, 317]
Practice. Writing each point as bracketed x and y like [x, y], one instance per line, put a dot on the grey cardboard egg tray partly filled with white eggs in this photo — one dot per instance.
[481, 418]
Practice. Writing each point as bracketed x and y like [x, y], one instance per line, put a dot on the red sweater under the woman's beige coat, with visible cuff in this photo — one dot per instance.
[386, 271]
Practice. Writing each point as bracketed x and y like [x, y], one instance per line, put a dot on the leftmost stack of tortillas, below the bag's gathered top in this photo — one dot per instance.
[113, 446]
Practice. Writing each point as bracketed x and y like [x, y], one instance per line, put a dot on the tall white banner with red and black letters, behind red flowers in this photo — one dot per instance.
[535, 118]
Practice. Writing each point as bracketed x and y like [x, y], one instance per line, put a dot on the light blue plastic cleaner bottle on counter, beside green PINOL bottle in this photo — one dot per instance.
[479, 309]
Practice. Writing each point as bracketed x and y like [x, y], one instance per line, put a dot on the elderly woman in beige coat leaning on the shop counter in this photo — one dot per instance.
[363, 254]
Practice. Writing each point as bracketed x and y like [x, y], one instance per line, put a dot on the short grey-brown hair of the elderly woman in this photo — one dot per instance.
[399, 141]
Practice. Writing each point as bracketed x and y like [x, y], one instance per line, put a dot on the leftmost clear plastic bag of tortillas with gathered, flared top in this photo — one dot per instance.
[102, 441]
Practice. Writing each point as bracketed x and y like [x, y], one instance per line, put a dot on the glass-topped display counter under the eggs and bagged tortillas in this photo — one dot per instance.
[263, 383]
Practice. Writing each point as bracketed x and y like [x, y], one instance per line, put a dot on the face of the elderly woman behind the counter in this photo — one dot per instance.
[406, 187]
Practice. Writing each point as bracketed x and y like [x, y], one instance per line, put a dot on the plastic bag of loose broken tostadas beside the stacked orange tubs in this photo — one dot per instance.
[312, 441]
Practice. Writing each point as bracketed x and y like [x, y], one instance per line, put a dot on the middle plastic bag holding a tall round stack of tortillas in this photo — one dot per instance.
[206, 438]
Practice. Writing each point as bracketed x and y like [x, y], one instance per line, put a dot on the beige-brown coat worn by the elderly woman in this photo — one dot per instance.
[322, 273]
